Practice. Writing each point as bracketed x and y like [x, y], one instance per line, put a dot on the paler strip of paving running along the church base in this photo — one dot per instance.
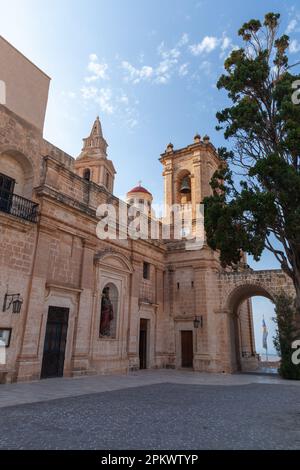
[51, 389]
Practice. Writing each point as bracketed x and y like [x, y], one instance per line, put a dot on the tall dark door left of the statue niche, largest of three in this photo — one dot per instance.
[55, 342]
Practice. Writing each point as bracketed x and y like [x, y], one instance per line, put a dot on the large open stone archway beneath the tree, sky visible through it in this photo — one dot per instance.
[250, 305]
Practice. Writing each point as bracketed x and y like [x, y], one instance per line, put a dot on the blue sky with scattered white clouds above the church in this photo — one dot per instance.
[148, 68]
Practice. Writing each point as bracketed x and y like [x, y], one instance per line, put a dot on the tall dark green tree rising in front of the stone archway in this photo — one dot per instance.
[256, 191]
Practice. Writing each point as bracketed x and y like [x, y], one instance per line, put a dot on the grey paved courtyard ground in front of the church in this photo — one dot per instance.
[146, 411]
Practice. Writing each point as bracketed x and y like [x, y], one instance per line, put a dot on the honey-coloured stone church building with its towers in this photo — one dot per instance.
[76, 304]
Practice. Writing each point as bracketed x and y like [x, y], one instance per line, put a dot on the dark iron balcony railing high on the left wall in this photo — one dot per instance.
[18, 206]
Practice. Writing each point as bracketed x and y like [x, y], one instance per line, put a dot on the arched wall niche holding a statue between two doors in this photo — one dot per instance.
[109, 311]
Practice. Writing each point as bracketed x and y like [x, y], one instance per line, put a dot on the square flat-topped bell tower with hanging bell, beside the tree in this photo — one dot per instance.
[187, 173]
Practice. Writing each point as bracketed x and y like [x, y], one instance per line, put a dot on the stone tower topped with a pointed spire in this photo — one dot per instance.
[93, 164]
